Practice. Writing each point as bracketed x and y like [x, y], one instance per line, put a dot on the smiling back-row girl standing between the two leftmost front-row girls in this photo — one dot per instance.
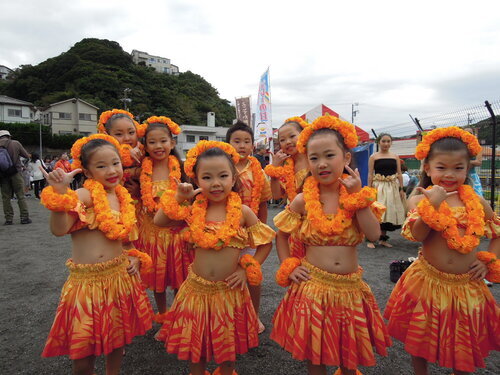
[160, 171]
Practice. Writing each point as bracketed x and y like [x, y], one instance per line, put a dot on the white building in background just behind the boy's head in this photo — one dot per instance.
[192, 134]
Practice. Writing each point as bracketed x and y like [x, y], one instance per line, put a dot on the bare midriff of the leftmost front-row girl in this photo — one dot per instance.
[92, 246]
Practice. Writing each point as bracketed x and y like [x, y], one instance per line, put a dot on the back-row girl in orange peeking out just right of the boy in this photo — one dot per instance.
[289, 169]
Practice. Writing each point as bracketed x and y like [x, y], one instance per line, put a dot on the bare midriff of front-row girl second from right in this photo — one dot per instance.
[333, 259]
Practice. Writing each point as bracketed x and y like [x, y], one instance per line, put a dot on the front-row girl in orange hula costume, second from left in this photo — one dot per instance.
[212, 316]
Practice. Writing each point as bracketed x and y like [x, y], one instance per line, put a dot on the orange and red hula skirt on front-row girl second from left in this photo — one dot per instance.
[208, 320]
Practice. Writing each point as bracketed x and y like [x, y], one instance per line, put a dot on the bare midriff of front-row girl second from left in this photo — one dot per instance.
[216, 265]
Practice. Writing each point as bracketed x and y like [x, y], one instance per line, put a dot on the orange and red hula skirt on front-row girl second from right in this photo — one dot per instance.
[331, 320]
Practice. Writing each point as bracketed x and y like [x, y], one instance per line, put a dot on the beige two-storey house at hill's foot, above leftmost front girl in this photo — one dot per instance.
[71, 116]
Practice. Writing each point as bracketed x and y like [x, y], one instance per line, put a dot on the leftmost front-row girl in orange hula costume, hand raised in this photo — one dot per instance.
[103, 304]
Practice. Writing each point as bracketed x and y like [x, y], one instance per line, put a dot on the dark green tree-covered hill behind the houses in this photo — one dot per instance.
[98, 70]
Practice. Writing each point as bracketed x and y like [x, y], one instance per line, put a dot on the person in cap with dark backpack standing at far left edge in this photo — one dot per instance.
[13, 184]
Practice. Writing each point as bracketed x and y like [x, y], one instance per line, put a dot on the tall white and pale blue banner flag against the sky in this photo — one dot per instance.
[263, 130]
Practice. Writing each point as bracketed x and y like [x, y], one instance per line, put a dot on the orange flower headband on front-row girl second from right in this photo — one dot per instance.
[347, 130]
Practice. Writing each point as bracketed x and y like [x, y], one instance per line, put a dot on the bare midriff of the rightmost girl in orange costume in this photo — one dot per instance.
[437, 253]
